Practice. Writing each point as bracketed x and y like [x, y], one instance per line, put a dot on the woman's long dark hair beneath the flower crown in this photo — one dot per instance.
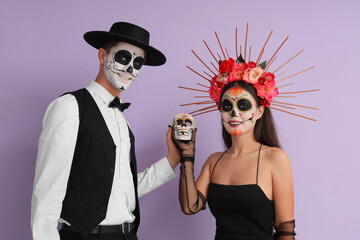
[264, 131]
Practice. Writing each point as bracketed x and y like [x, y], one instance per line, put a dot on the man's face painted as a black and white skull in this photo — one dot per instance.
[122, 64]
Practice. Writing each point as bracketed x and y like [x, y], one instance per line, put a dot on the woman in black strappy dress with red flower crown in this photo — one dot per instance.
[249, 186]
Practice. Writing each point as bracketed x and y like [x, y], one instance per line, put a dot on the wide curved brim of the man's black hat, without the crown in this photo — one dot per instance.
[98, 38]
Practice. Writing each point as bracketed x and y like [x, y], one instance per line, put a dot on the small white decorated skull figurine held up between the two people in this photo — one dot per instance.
[183, 125]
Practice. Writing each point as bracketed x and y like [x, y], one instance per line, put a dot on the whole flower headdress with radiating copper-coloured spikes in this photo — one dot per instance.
[252, 72]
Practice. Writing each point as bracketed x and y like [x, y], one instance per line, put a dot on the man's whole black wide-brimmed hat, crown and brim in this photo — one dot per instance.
[130, 33]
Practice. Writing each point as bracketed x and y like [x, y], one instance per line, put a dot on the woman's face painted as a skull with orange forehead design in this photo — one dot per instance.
[238, 111]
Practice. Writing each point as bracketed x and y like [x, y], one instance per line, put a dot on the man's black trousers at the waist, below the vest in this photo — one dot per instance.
[69, 235]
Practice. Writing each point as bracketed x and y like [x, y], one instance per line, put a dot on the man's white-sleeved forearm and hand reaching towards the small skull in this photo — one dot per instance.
[161, 171]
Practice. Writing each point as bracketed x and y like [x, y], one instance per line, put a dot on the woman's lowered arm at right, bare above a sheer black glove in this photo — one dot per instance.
[283, 190]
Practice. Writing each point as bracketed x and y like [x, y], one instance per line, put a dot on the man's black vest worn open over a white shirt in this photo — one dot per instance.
[92, 170]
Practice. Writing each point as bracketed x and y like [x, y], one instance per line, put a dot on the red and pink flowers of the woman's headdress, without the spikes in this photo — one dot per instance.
[231, 70]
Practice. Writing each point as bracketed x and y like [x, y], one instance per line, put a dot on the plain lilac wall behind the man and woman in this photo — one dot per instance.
[44, 55]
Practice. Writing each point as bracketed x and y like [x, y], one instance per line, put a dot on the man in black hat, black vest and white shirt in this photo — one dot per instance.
[86, 175]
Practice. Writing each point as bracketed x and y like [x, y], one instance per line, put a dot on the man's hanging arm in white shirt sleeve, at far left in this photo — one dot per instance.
[53, 164]
